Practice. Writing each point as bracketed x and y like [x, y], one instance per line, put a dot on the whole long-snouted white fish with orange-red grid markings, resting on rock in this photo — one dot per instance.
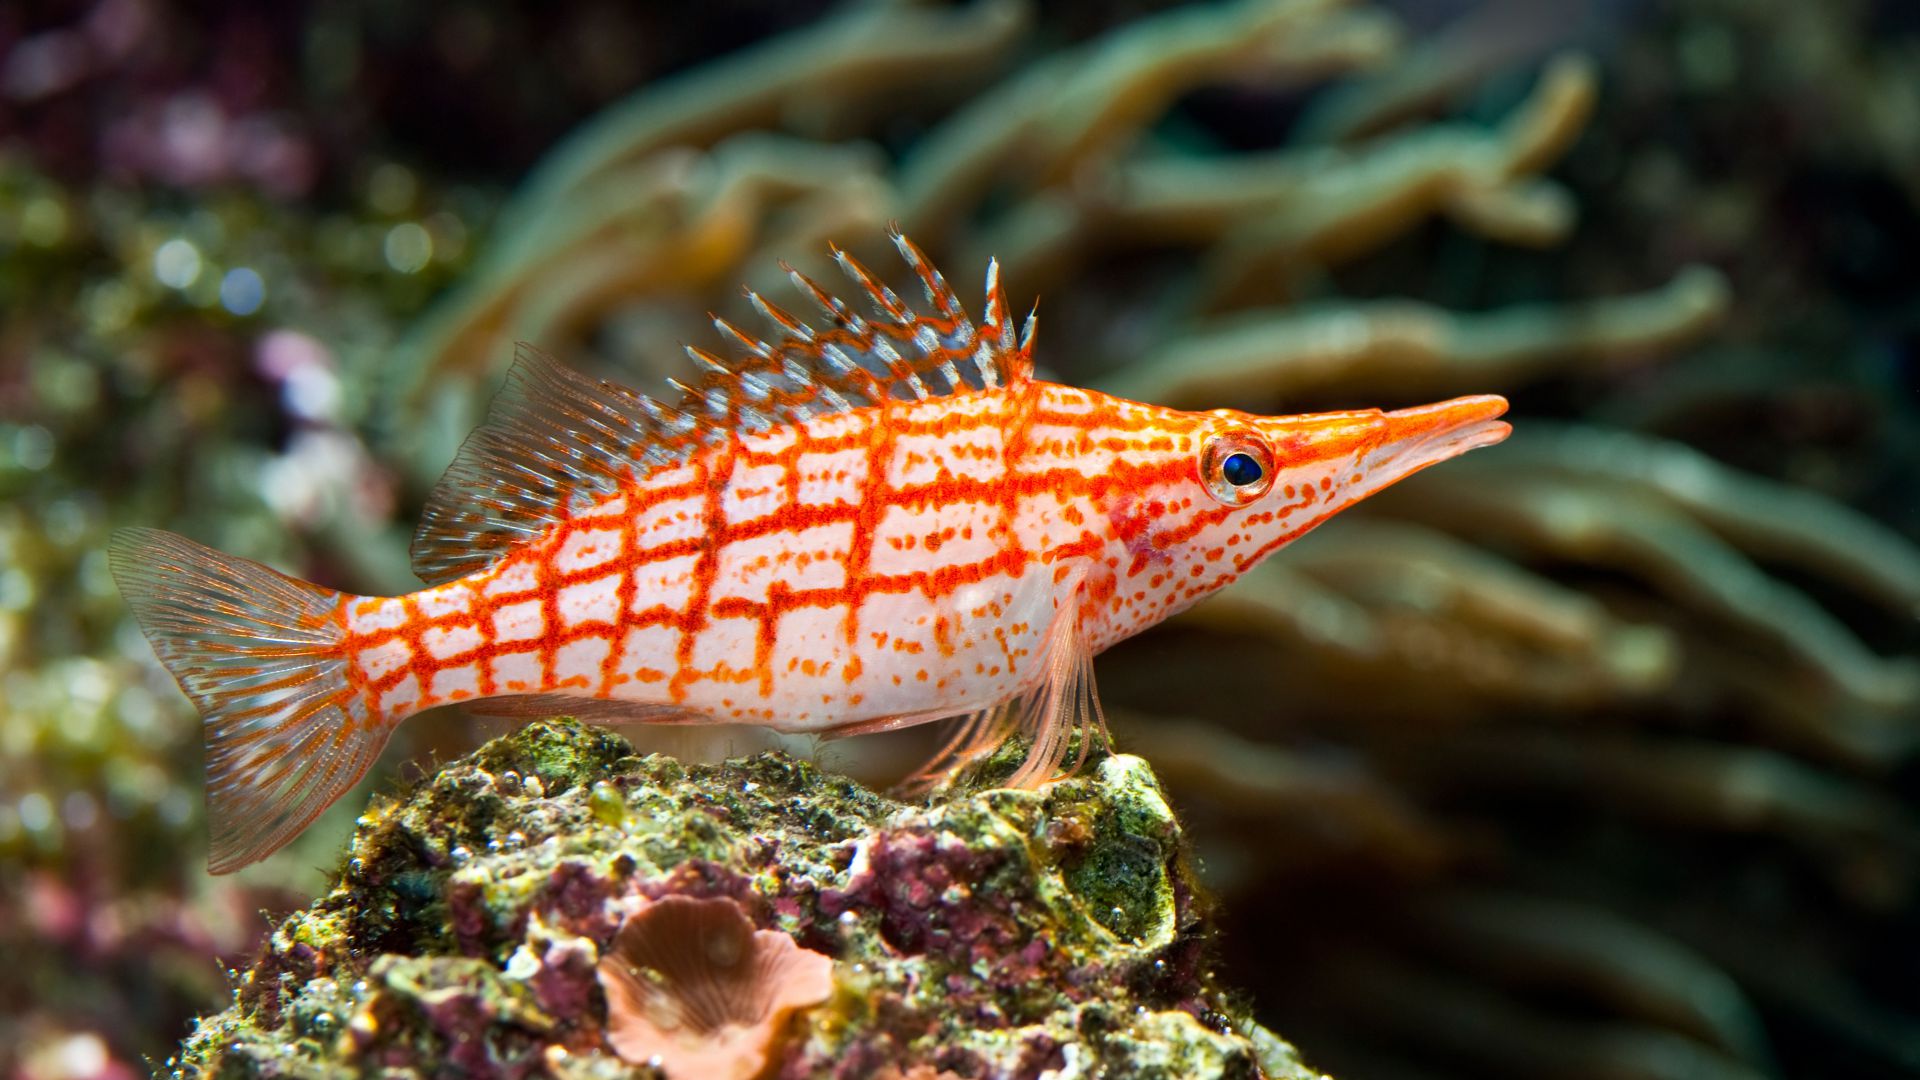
[859, 526]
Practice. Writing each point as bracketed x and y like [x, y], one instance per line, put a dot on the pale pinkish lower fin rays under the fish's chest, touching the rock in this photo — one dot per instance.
[1065, 704]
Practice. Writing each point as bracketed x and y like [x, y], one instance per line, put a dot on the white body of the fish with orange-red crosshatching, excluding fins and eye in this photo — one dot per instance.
[802, 577]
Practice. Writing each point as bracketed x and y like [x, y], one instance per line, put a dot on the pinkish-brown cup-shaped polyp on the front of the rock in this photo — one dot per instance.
[694, 989]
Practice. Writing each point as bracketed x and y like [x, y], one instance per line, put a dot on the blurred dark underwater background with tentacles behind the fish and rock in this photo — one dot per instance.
[1593, 754]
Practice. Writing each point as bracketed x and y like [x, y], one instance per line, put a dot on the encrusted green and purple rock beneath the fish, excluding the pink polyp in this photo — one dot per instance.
[992, 933]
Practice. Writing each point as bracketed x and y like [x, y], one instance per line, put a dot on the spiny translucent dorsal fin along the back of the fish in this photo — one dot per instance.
[556, 441]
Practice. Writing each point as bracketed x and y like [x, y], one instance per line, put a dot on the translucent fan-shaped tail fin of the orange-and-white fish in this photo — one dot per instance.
[260, 656]
